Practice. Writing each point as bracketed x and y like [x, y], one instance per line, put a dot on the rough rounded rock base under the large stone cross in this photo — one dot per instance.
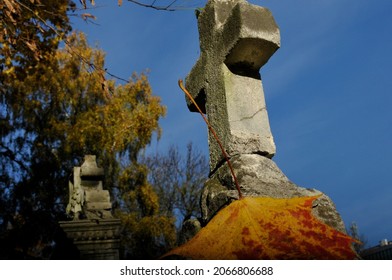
[259, 176]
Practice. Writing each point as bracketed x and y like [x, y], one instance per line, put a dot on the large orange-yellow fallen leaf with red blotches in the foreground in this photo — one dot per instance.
[267, 228]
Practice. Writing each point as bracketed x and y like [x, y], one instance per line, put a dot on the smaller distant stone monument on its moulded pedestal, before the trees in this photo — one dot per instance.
[92, 229]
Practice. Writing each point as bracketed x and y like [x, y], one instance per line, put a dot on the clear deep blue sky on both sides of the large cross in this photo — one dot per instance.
[328, 91]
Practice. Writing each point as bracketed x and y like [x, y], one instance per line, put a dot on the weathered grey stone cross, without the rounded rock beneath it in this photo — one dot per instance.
[236, 40]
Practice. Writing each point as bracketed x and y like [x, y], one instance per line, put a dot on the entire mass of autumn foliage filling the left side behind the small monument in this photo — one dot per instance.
[59, 102]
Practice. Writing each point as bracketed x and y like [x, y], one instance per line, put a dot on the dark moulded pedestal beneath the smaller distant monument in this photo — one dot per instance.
[95, 239]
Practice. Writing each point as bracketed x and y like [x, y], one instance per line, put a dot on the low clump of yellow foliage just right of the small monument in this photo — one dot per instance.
[145, 229]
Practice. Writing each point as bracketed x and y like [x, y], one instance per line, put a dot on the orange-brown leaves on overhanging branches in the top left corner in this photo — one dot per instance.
[30, 27]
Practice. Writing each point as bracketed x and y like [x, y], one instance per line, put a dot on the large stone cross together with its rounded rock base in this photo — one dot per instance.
[236, 40]
